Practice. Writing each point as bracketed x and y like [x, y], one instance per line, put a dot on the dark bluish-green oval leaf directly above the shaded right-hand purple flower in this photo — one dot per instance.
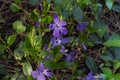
[77, 13]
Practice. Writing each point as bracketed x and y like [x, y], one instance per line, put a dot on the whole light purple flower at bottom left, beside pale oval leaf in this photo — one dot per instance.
[41, 73]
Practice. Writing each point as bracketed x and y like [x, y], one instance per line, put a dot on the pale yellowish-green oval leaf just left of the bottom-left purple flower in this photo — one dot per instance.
[27, 68]
